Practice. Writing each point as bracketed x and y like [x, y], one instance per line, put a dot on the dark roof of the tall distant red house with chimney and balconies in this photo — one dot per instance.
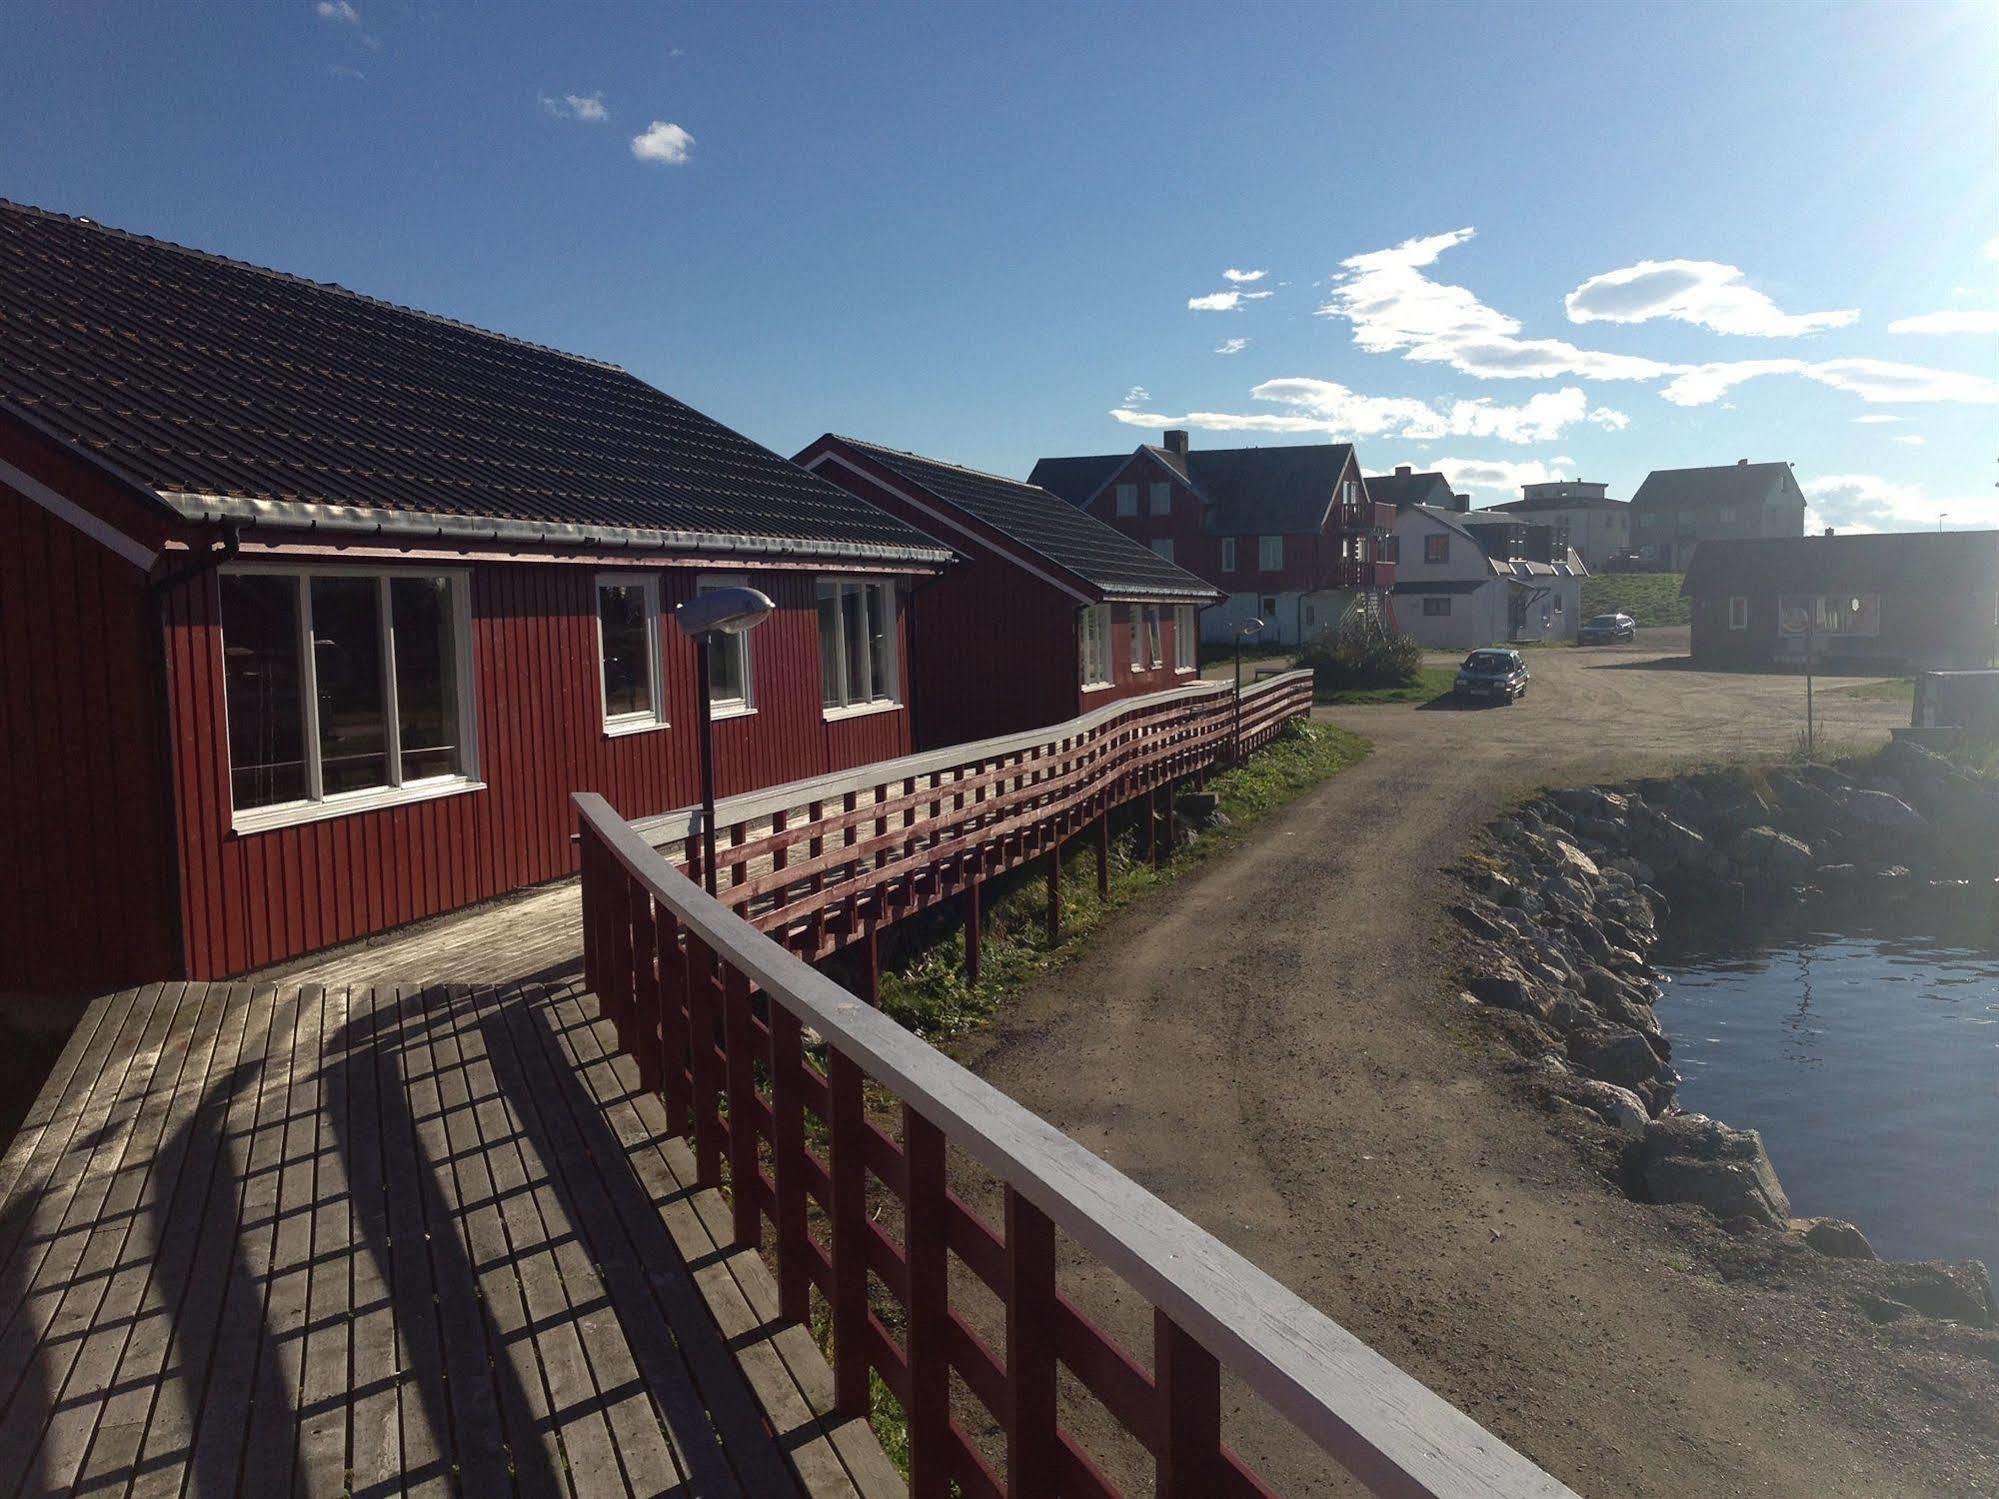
[1252, 491]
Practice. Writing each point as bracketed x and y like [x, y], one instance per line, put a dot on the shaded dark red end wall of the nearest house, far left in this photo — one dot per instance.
[85, 870]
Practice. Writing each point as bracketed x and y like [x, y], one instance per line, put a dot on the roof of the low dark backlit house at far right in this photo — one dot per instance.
[1866, 563]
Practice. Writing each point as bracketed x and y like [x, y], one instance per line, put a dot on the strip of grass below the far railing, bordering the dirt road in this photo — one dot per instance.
[925, 982]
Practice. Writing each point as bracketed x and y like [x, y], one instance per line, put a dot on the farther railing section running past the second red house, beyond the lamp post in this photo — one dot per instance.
[829, 862]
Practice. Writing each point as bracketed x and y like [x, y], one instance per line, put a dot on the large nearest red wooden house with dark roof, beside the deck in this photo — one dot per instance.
[315, 611]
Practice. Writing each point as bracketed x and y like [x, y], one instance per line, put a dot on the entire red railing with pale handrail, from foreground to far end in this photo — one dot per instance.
[725, 1020]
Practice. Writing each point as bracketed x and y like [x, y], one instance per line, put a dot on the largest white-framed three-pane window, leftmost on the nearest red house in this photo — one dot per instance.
[345, 691]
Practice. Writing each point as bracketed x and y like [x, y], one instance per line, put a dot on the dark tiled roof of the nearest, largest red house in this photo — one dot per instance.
[205, 377]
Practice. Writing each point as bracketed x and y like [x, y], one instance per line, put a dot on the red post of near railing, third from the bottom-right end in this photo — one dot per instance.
[931, 1312]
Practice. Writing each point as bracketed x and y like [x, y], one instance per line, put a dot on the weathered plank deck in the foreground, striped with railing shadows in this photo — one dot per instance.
[385, 1240]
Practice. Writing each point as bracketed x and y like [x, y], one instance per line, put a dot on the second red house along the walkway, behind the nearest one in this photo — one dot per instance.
[1052, 613]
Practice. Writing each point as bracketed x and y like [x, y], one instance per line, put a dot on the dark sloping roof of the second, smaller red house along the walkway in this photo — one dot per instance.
[1046, 527]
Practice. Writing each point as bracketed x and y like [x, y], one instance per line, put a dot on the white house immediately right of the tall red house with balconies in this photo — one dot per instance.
[1460, 587]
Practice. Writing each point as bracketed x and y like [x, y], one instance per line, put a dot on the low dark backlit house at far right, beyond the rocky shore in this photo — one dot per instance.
[1896, 603]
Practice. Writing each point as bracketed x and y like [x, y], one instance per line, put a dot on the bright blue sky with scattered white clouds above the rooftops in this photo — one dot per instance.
[1508, 241]
